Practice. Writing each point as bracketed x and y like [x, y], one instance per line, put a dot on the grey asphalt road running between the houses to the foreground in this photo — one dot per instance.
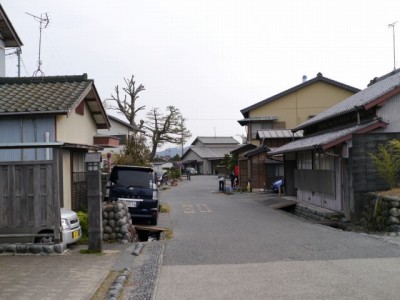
[238, 247]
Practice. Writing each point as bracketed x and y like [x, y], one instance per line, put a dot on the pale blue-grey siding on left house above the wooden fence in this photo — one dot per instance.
[25, 130]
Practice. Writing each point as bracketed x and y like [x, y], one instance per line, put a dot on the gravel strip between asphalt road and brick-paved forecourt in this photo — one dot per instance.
[146, 269]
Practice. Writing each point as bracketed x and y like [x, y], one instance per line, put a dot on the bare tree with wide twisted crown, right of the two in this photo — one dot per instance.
[168, 128]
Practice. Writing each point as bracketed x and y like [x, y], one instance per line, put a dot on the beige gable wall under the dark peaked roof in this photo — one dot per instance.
[297, 107]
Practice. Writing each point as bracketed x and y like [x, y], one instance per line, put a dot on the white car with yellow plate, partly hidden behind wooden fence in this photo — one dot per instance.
[71, 229]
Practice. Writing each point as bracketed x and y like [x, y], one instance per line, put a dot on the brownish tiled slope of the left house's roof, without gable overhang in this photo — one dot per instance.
[23, 96]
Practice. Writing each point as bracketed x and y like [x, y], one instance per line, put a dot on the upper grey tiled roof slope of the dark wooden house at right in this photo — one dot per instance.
[356, 101]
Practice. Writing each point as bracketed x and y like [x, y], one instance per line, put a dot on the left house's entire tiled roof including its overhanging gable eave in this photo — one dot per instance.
[50, 95]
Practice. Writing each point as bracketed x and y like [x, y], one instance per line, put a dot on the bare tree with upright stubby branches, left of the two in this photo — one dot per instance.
[126, 105]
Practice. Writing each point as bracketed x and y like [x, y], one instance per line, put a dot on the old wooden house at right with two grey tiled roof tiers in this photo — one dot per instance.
[330, 166]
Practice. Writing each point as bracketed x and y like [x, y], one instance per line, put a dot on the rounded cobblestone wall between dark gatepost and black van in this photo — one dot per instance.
[117, 223]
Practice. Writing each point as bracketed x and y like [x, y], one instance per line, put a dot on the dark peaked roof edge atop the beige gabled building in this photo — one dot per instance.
[318, 78]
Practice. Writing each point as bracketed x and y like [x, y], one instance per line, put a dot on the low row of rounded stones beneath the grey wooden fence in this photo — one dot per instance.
[38, 249]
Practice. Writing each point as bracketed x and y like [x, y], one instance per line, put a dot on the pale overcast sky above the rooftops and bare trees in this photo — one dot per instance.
[209, 58]
